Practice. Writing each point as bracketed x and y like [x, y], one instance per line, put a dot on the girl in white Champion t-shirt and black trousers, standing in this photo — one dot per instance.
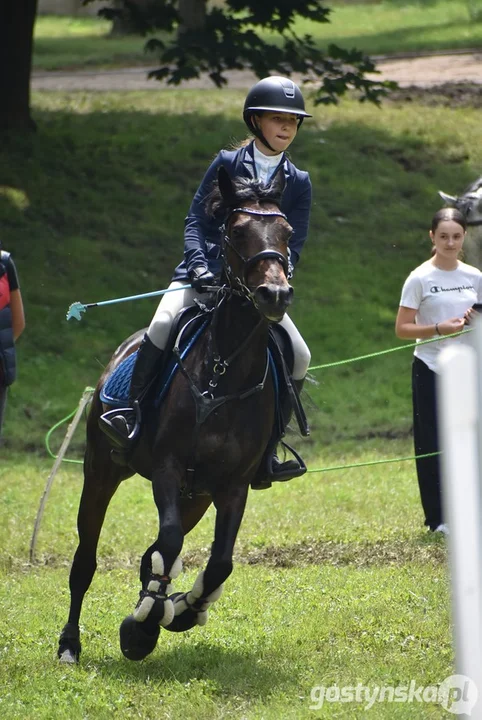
[437, 300]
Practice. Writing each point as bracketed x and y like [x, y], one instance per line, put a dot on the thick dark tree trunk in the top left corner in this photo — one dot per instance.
[17, 19]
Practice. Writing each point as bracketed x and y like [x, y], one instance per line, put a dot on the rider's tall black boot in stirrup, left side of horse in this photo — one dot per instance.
[122, 425]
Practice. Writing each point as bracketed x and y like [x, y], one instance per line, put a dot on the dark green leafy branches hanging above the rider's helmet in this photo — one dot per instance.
[213, 38]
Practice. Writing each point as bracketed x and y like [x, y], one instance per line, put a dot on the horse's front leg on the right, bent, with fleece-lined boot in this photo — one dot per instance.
[191, 608]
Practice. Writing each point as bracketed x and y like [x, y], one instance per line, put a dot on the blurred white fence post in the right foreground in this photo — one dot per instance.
[459, 413]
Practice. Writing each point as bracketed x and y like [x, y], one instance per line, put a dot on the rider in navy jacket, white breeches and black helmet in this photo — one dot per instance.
[273, 111]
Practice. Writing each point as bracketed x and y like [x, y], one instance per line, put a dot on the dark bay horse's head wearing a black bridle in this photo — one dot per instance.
[255, 242]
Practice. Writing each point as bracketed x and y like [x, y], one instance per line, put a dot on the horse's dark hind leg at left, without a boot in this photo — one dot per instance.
[96, 495]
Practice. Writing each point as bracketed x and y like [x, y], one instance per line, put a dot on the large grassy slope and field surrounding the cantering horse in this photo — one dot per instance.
[336, 580]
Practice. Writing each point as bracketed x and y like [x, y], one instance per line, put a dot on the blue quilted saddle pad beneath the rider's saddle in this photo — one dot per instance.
[115, 391]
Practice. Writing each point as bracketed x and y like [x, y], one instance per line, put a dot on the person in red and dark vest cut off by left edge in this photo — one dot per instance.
[12, 324]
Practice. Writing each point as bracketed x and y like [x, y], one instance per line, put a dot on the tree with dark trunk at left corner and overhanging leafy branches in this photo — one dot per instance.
[202, 38]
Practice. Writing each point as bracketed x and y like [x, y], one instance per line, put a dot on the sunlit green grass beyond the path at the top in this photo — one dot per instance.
[376, 28]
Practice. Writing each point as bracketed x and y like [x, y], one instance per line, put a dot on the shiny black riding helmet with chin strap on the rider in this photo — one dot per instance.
[273, 94]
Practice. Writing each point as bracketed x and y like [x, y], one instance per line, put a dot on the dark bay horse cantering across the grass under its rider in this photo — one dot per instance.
[210, 434]
